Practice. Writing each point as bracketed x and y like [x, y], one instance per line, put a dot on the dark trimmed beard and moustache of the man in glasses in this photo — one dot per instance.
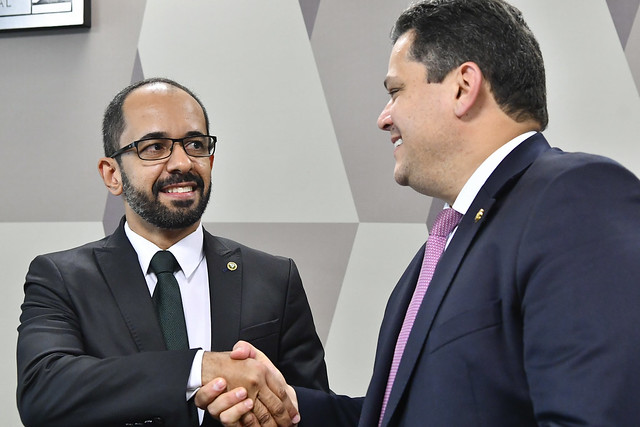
[155, 213]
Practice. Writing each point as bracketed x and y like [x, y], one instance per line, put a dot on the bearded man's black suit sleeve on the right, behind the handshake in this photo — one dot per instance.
[301, 356]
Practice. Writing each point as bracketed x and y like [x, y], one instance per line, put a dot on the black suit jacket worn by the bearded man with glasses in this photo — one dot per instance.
[91, 351]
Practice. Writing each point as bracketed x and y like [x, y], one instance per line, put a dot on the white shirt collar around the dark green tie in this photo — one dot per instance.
[189, 251]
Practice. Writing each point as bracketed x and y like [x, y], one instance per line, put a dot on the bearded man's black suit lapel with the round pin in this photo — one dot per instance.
[225, 289]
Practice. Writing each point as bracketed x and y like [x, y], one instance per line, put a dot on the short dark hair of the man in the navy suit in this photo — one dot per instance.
[490, 33]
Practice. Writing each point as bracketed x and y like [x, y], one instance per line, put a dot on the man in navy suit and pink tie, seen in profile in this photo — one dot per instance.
[531, 317]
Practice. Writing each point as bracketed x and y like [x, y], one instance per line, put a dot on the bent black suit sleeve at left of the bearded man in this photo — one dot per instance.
[59, 384]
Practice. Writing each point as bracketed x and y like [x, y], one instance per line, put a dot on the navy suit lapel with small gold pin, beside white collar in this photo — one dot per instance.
[500, 181]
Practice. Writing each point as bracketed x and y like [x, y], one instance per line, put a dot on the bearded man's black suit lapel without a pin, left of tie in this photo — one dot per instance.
[118, 262]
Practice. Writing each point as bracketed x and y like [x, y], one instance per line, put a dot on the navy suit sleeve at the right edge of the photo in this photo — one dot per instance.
[579, 276]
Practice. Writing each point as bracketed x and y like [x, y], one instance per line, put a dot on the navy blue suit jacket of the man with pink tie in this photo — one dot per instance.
[532, 316]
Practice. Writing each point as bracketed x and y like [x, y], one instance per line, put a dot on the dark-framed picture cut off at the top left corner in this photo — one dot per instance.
[24, 14]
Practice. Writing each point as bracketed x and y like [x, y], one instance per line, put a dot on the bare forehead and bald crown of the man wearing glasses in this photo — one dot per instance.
[162, 107]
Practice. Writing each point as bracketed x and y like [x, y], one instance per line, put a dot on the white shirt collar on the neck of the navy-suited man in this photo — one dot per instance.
[484, 171]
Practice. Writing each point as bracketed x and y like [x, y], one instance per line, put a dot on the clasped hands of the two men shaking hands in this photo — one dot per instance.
[243, 388]
